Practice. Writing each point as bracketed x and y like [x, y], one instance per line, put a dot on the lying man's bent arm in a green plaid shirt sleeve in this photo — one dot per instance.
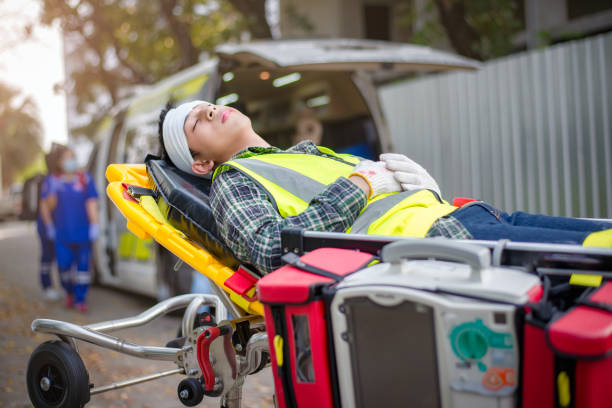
[250, 225]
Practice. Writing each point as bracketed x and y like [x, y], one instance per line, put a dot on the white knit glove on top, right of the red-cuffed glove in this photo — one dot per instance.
[409, 173]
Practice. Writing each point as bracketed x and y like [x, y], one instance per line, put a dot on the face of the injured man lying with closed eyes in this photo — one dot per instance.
[213, 131]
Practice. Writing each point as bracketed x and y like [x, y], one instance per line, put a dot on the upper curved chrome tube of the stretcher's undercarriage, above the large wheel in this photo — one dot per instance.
[160, 309]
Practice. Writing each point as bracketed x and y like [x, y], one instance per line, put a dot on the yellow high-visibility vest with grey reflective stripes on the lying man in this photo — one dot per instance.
[292, 180]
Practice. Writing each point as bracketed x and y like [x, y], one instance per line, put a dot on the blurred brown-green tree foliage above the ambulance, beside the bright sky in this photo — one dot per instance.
[114, 44]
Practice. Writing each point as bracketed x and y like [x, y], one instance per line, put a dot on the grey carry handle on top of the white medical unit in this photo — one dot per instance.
[476, 256]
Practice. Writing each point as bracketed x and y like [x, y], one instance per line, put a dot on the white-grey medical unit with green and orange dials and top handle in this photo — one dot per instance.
[430, 333]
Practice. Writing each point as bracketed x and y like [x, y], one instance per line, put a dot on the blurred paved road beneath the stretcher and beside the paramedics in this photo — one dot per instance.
[21, 302]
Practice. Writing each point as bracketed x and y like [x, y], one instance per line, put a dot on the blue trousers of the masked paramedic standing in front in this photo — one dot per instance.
[74, 283]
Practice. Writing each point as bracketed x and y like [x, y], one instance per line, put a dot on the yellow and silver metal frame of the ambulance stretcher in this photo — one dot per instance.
[537, 258]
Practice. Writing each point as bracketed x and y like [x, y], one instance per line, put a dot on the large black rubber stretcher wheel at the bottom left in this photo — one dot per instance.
[56, 377]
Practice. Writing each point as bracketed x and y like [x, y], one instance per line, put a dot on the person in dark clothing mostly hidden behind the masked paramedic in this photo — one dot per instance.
[47, 247]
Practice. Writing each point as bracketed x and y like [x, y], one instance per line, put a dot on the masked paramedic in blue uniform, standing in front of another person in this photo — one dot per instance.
[72, 199]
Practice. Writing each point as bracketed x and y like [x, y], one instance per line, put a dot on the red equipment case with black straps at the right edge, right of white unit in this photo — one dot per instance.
[568, 363]
